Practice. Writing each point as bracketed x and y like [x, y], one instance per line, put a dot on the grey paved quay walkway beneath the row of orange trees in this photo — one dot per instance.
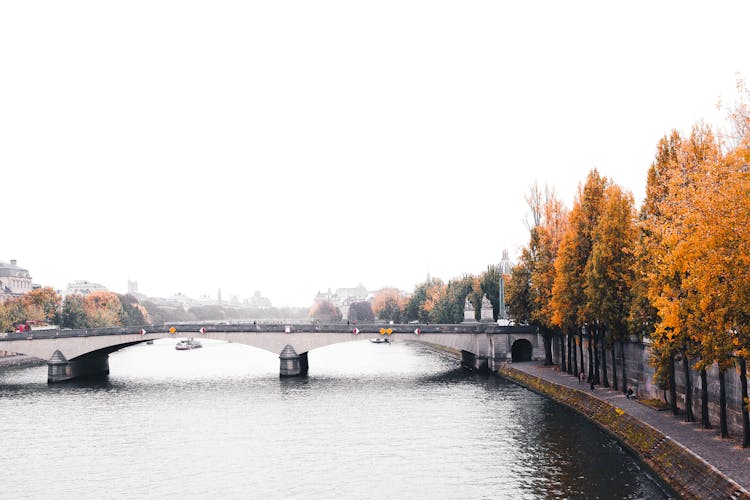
[726, 455]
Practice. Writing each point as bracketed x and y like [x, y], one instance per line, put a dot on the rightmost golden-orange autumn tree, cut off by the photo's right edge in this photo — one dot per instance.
[719, 257]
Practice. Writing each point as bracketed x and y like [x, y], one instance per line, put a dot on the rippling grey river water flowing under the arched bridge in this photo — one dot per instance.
[370, 421]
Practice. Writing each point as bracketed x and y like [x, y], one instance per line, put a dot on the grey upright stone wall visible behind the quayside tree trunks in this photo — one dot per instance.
[640, 375]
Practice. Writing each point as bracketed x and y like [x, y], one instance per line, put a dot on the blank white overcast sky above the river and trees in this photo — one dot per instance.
[293, 146]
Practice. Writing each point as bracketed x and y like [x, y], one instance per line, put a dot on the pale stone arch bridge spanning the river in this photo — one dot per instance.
[72, 354]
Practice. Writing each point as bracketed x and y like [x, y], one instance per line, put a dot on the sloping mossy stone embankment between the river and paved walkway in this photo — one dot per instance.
[682, 470]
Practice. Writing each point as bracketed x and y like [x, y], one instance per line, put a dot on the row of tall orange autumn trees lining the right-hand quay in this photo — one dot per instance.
[676, 271]
